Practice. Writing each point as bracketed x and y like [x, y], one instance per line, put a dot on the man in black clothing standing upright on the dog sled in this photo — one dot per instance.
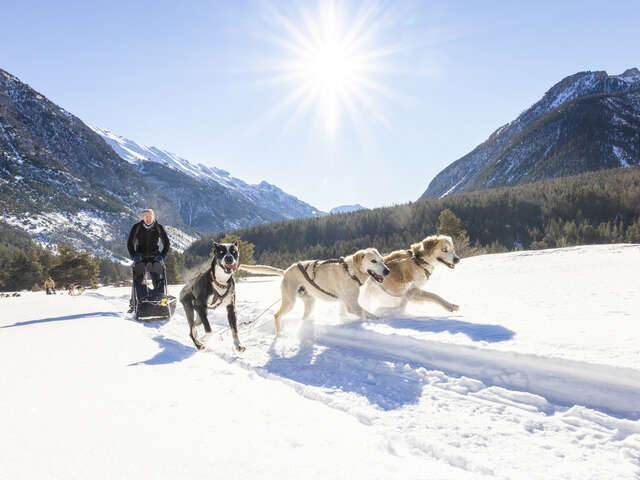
[144, 249]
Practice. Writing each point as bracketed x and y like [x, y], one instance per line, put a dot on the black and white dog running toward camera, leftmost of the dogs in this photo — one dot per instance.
[211, 289]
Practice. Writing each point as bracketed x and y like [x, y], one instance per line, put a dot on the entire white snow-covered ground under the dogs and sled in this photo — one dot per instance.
[536, 377]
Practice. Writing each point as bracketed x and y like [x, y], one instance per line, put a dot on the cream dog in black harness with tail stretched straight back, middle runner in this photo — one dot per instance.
[330, 280]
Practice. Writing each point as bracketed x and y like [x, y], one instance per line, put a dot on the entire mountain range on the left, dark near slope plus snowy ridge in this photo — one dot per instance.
[62, 183]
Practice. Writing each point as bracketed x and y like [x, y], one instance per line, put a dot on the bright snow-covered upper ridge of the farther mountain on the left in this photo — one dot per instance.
[265, 195]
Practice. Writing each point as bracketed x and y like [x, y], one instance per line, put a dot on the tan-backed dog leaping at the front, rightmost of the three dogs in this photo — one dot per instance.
[410, 270]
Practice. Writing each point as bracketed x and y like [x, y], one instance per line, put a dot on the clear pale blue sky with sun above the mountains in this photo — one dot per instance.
[362, 103]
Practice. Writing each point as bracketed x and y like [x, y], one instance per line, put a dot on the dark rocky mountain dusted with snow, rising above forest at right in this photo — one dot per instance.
[588, 121]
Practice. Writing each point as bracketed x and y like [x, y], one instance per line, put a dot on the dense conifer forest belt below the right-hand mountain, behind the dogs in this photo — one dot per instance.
[596, 207]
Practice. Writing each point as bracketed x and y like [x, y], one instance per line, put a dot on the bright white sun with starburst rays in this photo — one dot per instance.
[330, 61]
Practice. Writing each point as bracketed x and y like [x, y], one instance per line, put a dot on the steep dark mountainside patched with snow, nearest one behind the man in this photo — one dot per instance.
[60, 182]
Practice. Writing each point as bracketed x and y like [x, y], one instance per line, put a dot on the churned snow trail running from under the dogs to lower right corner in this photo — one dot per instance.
[485, 411]
